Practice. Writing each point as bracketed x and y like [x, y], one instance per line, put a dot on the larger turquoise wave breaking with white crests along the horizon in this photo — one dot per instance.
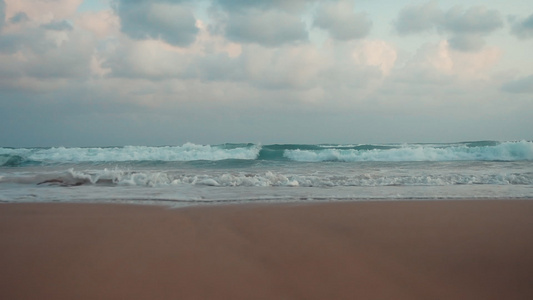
[467, 151]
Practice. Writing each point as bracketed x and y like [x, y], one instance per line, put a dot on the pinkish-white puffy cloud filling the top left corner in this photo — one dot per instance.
[44, 52]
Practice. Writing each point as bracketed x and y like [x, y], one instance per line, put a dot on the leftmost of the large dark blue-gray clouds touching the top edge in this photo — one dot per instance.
[170, 21]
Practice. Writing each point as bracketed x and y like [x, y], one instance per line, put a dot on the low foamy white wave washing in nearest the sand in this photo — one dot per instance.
[147, 178]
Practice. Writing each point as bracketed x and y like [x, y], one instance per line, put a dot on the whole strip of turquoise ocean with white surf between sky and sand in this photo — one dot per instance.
[193, 174]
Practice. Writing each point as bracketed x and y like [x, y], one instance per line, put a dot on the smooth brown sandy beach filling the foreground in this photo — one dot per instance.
[344, 250]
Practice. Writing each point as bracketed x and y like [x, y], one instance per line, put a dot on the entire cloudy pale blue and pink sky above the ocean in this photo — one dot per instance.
[160, 72]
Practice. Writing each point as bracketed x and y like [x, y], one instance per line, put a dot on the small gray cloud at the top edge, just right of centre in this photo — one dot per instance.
[342, 22]
